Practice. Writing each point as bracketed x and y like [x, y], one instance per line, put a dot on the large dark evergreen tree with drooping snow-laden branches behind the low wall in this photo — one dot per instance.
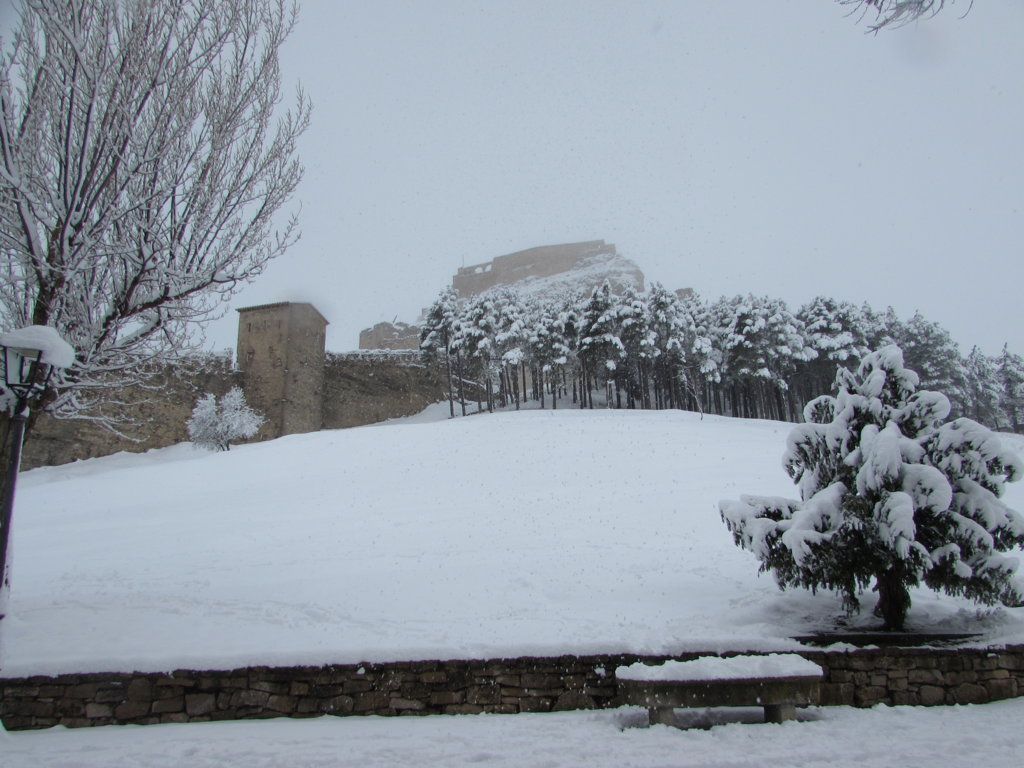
[889, 491]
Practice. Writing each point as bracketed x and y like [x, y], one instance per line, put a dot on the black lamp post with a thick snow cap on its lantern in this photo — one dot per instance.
[30, 356]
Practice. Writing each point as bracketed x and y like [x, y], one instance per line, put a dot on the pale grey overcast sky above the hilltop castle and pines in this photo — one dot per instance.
[731, 147]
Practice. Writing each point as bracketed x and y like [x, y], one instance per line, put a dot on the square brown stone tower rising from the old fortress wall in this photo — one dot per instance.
[281, 356]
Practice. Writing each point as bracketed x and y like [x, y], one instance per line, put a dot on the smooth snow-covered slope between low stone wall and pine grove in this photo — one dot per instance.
[537, 533]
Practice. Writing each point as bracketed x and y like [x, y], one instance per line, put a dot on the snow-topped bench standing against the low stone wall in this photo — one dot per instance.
[779, 682]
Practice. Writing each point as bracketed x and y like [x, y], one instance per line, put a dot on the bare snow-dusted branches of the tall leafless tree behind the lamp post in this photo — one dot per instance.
[145, 157]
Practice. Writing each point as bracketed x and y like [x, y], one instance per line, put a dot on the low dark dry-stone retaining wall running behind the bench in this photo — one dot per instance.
[860, 678]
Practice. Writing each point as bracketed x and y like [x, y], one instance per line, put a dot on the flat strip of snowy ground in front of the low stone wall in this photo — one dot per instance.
[832, 738]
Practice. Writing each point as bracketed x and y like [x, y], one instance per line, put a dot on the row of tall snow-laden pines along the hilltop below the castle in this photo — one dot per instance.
[746, 356]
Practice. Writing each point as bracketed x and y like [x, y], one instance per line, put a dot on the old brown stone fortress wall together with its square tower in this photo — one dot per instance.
[286, 374]
